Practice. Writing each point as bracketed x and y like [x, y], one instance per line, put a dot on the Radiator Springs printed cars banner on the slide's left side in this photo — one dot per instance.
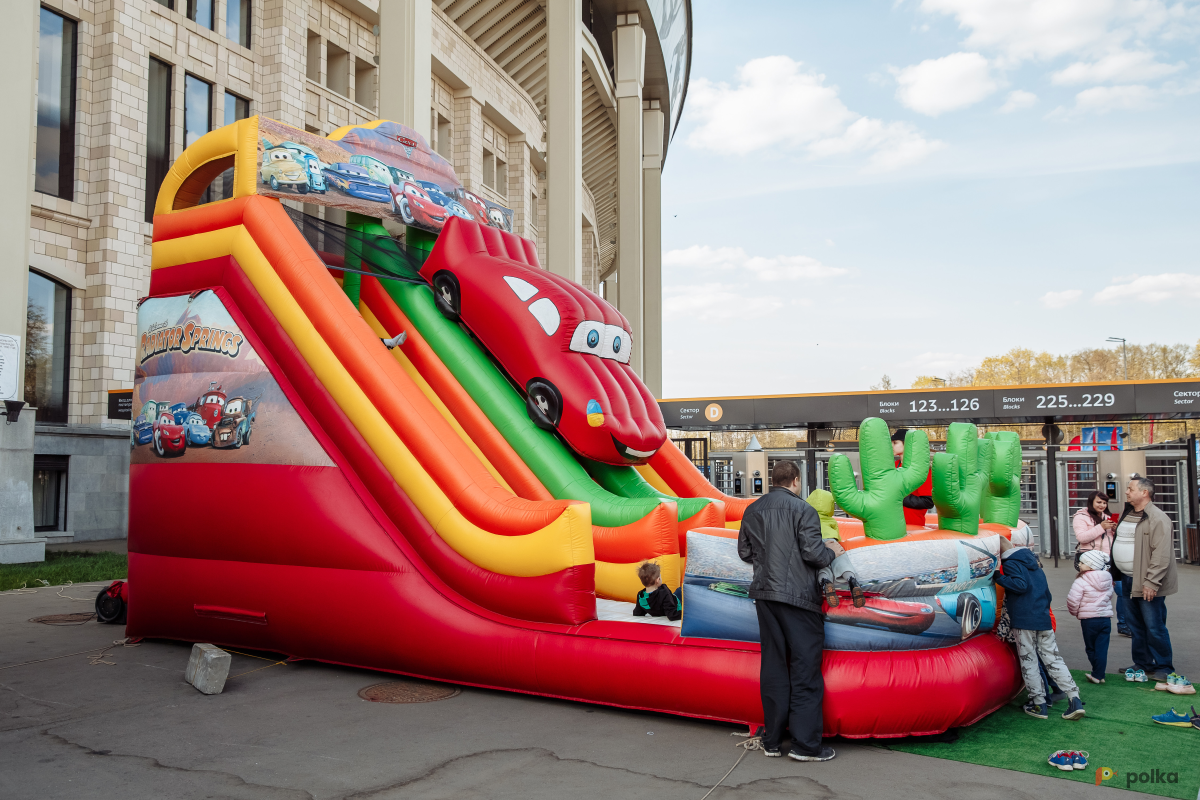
[202, 394]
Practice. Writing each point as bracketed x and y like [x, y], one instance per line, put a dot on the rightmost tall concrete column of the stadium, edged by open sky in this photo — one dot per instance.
[652, 195]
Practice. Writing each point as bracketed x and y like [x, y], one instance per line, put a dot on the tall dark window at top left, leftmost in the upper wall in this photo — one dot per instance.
[56, 106]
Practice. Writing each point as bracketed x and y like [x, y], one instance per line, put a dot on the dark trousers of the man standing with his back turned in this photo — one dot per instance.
[790, 677]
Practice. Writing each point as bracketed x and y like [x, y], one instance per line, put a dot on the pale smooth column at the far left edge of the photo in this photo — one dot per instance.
[19, 58]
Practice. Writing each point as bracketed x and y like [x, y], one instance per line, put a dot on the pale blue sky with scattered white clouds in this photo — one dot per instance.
[903, 188]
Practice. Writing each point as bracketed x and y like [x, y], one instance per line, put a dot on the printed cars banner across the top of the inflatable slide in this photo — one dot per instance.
[380, 170]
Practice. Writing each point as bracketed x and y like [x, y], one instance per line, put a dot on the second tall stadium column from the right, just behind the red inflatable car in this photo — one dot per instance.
[629, 50]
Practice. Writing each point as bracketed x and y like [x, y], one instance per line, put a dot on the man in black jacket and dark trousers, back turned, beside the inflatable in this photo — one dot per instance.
[782, 538]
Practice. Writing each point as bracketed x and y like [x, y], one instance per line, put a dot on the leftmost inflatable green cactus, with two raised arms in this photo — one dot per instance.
[880, 503]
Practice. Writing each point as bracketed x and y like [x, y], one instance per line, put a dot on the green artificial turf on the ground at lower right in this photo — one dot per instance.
[1118, 733]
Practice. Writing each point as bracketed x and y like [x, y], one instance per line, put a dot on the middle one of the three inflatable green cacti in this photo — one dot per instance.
[961, 478]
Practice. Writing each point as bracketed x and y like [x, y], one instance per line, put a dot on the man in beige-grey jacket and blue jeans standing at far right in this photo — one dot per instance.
[1153, 579]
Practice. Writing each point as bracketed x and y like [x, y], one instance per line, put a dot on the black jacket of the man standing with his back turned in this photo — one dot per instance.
[782, 538]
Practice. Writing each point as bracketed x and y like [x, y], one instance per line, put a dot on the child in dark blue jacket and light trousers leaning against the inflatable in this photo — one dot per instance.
[1028, 598]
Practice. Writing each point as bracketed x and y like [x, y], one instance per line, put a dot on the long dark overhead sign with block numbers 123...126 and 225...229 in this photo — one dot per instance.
[1006, 405]
